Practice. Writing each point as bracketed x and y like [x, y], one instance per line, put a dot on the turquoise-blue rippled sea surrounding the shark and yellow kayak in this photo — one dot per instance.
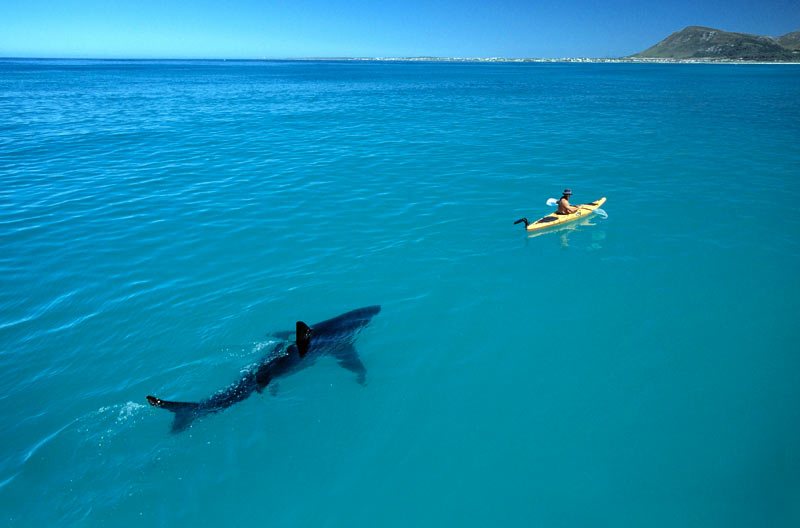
[159, 220]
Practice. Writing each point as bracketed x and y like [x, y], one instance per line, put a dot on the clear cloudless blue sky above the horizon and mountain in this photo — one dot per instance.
[374, 28]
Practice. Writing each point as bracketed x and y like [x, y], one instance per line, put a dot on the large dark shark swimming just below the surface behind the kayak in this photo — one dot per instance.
[333, 338]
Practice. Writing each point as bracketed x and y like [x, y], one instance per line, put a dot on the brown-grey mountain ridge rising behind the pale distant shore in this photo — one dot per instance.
[697, 42]
